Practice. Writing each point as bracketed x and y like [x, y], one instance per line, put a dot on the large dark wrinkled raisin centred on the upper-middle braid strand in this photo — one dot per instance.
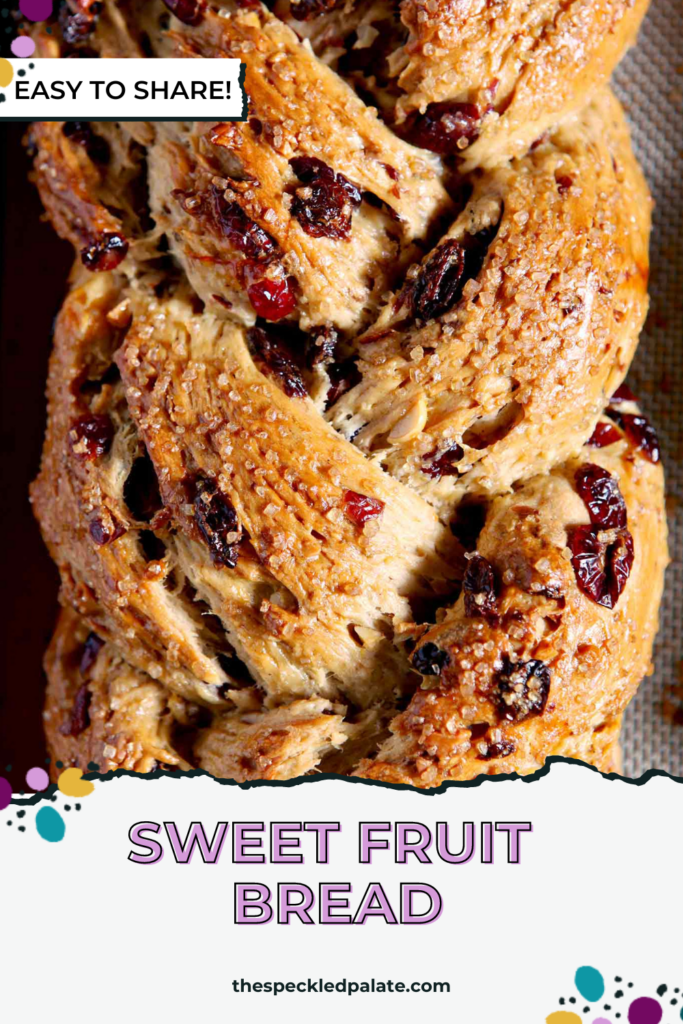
[326, 204]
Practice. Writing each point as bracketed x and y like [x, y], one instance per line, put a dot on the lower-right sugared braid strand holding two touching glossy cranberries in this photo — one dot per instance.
[482, 715]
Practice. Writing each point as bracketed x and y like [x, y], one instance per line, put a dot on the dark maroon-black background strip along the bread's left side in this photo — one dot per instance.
[34, 266]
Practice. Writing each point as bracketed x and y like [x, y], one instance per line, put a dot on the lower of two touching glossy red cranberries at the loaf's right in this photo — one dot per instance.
[602, 564]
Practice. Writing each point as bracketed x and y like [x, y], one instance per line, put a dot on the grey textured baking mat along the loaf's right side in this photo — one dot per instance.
[650, 82]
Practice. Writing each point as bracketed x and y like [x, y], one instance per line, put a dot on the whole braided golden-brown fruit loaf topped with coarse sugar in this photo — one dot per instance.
[340, 474]
